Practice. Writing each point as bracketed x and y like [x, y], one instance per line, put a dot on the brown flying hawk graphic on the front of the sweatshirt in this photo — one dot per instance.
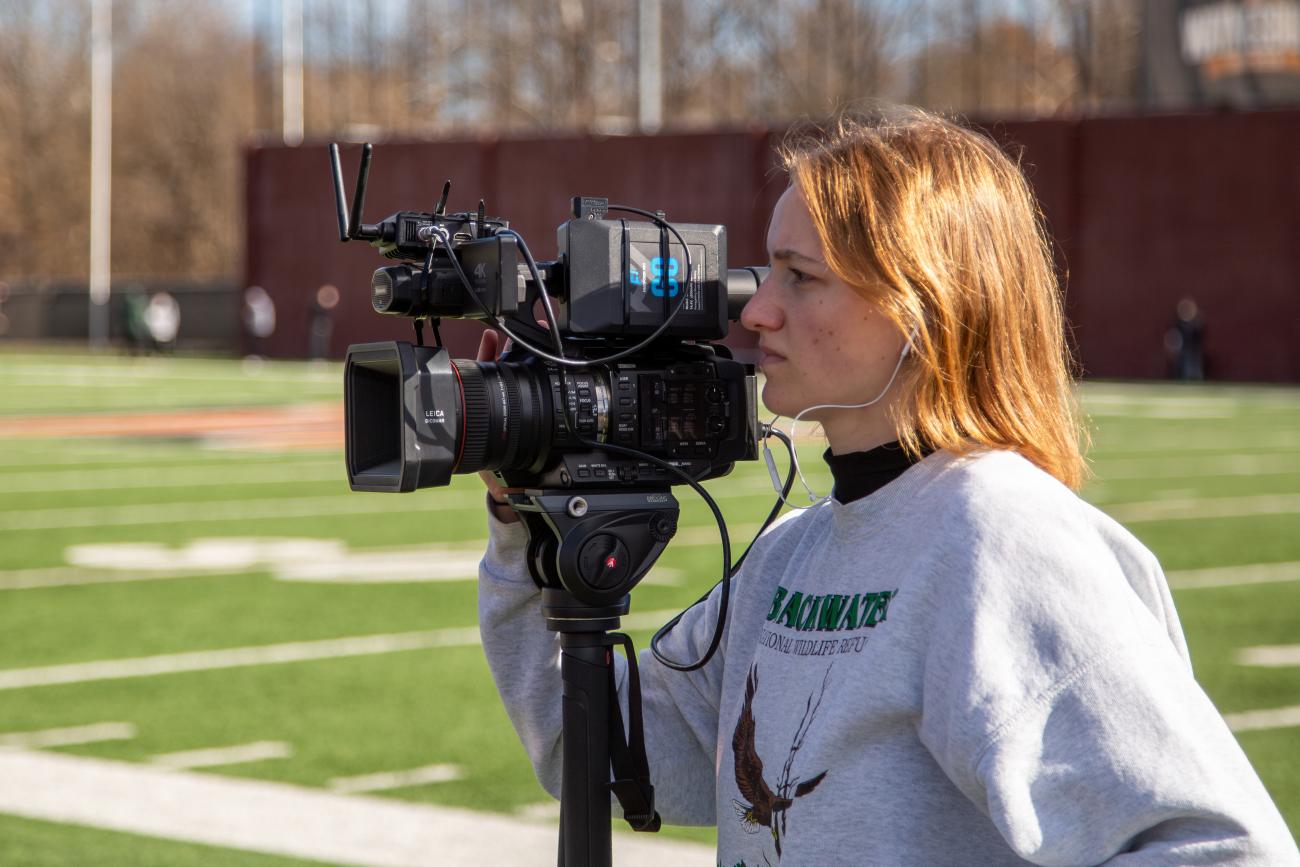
[769, 808]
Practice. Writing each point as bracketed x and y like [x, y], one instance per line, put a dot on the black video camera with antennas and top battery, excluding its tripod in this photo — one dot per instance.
[627, 392]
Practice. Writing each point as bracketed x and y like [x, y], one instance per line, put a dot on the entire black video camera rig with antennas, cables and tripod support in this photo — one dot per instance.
[590, 419]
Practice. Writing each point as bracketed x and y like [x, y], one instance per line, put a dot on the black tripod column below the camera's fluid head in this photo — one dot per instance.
[586, 662]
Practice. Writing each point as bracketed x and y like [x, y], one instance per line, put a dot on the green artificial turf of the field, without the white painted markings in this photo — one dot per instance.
[389, 712]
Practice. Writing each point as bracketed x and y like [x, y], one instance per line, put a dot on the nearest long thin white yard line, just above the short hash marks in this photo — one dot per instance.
[266, 654]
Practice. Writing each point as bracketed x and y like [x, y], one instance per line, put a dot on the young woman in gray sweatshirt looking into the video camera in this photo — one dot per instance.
[954, 660]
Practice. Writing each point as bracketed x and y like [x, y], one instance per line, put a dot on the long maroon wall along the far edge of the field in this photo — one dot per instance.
[1143, 211]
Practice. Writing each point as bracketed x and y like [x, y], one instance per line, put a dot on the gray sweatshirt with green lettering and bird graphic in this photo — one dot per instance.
[972, 666]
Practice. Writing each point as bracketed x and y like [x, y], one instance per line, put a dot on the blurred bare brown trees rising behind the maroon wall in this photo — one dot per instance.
[193, 84]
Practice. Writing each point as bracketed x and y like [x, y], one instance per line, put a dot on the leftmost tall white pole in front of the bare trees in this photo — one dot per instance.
[101, 168]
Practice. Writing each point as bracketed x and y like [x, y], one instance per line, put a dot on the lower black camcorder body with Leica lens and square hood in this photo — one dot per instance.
[415, 417]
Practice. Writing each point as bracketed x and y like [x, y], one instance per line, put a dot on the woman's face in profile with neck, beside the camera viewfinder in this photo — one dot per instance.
[821, 341]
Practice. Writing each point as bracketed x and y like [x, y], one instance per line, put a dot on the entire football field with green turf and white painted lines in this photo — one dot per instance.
[214, 653]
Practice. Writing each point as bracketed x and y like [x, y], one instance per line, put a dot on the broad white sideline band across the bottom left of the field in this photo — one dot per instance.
[292, 821]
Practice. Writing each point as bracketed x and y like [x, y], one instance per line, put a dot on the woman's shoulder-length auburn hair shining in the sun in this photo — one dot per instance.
[939, 228]
